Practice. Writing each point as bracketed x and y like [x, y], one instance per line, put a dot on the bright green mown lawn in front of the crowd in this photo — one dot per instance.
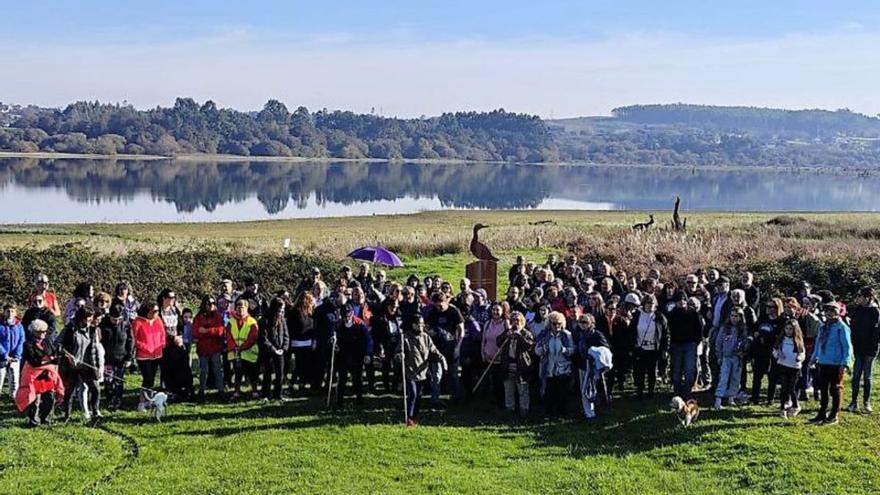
[252, 447]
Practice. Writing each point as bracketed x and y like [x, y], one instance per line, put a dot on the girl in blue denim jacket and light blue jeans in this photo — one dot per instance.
[730, 346]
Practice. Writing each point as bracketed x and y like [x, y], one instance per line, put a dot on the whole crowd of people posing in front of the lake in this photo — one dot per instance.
[565, 330]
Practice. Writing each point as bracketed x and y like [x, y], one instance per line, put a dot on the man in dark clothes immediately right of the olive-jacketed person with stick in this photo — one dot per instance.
[446, 327]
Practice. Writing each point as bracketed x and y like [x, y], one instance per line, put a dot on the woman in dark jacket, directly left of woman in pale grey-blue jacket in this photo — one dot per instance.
[516, 363]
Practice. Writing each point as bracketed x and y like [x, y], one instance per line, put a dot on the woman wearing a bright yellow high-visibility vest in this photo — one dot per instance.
[241, 345]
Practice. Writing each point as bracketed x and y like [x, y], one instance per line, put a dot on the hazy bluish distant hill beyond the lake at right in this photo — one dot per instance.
[696, 135]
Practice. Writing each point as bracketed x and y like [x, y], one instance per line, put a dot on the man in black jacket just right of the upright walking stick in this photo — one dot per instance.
[355, 350]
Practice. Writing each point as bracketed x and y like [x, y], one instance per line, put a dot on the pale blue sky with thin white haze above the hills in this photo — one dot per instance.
[411, 58]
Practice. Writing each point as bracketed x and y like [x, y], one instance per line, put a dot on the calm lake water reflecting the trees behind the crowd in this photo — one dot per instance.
[79, 190]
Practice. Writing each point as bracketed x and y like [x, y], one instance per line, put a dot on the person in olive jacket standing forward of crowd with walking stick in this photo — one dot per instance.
[416, 353]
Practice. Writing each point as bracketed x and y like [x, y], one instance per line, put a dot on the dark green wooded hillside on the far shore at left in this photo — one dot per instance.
[188, 127]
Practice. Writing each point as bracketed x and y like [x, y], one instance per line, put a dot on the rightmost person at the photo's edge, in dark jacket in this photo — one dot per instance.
[865, 327]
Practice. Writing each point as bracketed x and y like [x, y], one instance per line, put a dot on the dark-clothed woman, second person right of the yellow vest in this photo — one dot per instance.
[301, 328]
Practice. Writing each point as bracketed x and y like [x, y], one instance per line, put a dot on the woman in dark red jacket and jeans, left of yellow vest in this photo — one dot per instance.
[209, 333]
